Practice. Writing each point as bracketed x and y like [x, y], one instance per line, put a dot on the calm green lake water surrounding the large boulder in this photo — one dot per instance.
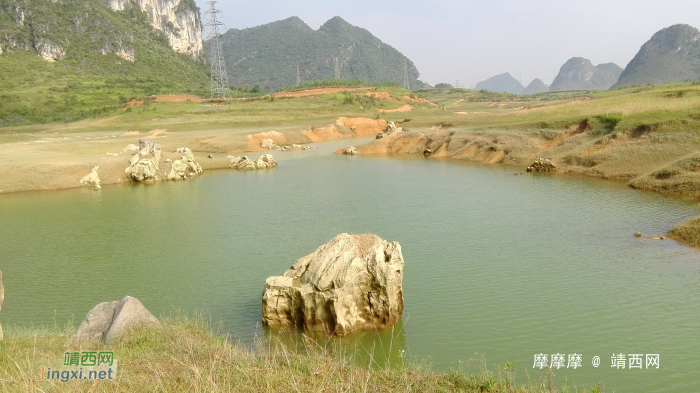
[499, 266]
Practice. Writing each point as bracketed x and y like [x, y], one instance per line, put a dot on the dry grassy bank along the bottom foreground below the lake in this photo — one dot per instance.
[186, 355]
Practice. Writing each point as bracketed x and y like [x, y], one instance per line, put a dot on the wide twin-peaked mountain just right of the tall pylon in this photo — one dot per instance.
[270, 55]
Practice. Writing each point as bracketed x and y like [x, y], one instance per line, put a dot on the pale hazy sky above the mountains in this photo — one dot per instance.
[469, 41]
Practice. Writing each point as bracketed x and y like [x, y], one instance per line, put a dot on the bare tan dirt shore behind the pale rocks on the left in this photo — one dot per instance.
[52, 162]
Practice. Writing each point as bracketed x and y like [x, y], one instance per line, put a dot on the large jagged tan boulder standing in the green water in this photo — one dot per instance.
[352, 283]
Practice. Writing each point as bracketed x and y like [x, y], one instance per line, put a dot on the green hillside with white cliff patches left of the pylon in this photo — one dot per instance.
[83, 82]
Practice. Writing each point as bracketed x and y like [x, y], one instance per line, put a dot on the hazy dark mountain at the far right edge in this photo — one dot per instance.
[671, 55]
